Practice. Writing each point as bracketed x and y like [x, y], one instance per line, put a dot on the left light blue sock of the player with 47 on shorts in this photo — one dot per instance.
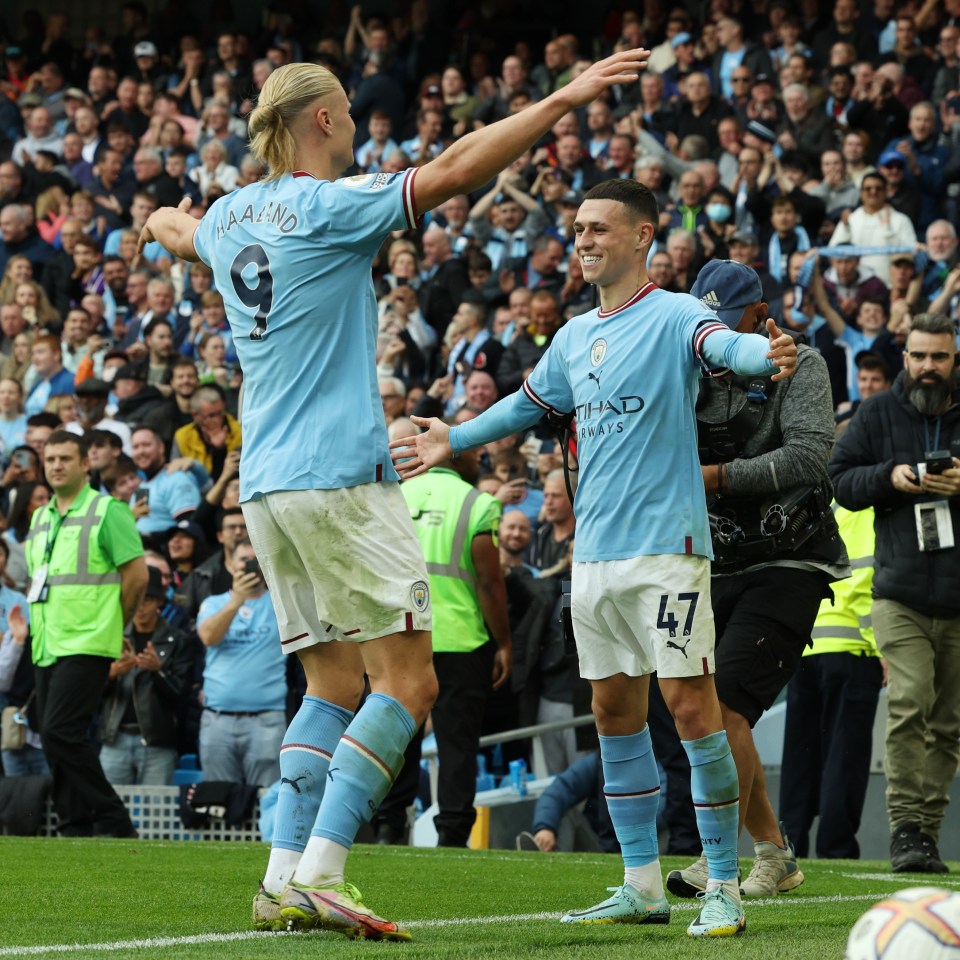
[631, 786]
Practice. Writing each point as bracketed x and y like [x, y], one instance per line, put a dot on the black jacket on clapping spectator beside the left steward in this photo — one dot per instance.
[156, 694]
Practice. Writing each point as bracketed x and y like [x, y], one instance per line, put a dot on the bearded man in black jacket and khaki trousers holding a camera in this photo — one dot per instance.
[899, 456]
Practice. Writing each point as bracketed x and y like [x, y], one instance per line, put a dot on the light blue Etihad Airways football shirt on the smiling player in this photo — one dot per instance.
[632, 377]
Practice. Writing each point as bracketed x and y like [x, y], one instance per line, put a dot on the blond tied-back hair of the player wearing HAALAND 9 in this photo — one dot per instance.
[287, 92]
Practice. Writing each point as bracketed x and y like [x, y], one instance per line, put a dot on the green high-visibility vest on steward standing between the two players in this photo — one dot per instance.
[447, 514]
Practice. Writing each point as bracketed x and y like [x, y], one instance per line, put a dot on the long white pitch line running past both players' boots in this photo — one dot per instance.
[155, 942]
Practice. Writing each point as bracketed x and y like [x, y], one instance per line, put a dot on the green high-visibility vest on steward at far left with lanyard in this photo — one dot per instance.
[82, 613]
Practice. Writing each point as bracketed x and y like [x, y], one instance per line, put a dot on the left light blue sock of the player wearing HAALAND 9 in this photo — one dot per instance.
[309, 743]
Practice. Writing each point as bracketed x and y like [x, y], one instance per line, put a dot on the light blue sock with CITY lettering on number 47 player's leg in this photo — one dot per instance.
[716, 799]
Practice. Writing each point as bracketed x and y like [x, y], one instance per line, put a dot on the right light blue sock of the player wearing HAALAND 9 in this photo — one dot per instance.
[364, 765]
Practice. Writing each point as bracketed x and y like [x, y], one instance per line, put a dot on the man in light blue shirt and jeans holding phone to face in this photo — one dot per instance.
[244, 679]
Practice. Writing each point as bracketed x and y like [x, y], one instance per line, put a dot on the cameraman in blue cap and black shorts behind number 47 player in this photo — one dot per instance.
[762, 444]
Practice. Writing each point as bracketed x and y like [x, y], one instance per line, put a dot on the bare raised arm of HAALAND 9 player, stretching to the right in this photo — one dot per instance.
[476, 158]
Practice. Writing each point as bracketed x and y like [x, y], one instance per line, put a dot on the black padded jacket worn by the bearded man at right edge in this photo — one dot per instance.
[888, 430]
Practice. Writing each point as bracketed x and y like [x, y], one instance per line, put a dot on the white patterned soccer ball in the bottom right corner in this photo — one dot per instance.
[920, 923]
